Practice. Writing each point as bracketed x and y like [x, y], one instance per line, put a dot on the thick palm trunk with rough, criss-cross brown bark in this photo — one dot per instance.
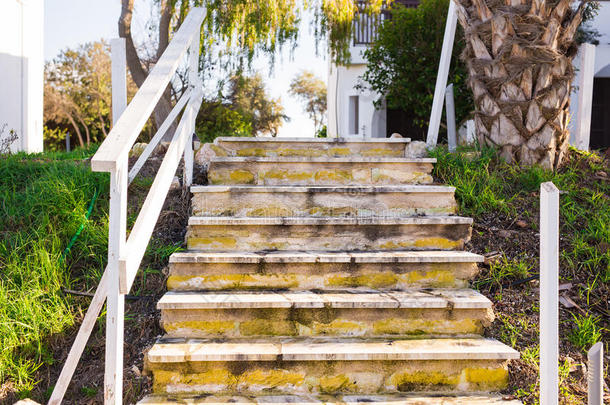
[519, 58]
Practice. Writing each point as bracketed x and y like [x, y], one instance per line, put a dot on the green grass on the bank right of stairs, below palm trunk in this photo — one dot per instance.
[484, 183]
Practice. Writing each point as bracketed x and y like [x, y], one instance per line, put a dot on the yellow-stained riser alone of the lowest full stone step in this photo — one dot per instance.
[329, 377]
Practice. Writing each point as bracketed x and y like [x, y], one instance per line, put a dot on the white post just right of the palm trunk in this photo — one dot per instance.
[585, 96]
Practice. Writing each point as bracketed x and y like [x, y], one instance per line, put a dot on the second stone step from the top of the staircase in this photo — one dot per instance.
[297, 171]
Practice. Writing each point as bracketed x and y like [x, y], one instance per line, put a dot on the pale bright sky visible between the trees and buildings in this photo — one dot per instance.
[69, 23]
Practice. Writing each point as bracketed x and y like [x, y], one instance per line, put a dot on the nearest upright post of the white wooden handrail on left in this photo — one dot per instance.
[115, 307]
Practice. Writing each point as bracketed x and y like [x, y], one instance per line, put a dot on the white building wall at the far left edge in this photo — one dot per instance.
[22, 72]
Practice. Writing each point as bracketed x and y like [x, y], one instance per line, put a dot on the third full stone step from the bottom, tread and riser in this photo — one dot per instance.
[320, 270]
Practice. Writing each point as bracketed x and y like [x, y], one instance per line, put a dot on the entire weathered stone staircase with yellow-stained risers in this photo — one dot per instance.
[324, 271]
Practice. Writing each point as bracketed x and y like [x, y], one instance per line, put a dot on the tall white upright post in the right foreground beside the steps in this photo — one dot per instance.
[549, 294]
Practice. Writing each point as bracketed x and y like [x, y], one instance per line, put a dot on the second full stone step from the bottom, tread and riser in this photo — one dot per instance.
[432, 312]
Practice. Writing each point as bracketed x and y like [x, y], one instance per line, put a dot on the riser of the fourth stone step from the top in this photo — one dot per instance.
[328, 237]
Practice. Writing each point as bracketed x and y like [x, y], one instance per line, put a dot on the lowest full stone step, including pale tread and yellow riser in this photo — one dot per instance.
[333, 366]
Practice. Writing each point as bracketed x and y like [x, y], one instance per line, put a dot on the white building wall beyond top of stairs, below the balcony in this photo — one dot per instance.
[341, 85]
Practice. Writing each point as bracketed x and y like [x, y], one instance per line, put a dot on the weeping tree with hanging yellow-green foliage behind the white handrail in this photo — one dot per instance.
[236, 30]
